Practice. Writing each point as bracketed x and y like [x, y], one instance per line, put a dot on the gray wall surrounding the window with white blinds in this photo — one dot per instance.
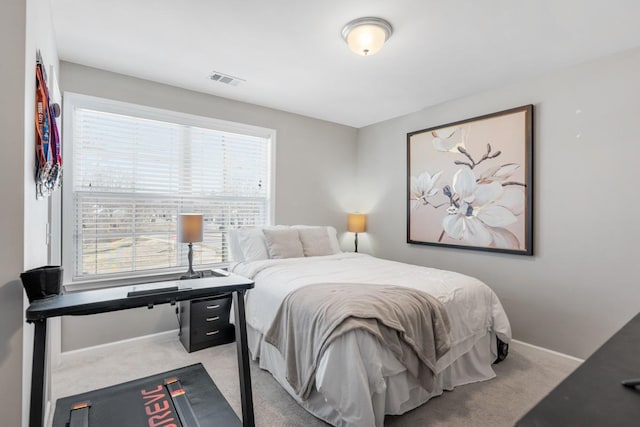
[315, 176]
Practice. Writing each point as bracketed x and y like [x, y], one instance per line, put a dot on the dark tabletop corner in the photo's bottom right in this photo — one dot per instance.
[592, 395]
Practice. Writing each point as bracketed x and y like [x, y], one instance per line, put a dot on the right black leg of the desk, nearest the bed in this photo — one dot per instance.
[243, 360]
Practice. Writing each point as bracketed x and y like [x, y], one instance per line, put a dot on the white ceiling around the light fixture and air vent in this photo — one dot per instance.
[293, 58]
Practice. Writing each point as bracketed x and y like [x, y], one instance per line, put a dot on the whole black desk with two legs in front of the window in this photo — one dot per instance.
[114, 299]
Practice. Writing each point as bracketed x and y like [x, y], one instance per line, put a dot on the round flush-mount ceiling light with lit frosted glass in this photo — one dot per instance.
[366, 36]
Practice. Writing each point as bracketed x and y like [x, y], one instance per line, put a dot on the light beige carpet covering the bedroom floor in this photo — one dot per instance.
[523, 379]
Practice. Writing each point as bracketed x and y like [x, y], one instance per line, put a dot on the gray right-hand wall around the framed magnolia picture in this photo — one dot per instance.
[580, 286]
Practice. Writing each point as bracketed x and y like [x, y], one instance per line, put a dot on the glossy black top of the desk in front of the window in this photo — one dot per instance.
[113, 299]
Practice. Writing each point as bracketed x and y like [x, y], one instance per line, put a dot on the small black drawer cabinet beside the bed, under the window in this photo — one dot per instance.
[205, 322]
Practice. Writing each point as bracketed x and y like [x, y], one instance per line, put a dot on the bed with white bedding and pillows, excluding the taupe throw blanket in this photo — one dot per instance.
[357, 380]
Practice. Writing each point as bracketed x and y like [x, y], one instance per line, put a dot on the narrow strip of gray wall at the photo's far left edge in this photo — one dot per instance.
[12, 102]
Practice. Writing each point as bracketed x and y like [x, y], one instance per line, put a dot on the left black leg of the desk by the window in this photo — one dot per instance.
[36, 410]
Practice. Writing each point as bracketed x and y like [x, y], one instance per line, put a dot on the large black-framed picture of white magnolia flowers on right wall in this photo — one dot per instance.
[470, 183]
